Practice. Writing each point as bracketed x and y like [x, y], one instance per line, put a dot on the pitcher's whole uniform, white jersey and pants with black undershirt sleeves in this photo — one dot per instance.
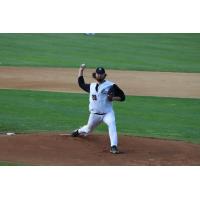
[100, 107]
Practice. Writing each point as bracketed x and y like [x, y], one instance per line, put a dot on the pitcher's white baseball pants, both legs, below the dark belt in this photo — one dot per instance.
[94, 120]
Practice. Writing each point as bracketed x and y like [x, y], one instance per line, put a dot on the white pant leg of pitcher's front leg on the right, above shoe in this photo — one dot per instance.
[109, 119]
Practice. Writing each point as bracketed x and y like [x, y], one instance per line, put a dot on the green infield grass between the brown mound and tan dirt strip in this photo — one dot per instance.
[31, 111]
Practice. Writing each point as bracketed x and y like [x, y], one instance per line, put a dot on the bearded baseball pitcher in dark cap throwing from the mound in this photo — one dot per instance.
[101, 94]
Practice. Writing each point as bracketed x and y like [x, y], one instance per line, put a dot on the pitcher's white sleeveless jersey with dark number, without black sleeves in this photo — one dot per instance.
[99, 102]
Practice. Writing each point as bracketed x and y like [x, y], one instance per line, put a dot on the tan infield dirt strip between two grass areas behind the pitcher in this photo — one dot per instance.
[137, 83]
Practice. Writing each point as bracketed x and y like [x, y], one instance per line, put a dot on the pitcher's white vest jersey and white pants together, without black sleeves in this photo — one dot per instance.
[101, 111]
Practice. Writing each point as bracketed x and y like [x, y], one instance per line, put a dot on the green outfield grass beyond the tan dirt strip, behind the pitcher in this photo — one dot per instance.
[149, 52]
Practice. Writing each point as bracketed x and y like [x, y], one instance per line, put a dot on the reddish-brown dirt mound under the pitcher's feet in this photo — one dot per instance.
[54, 149]
